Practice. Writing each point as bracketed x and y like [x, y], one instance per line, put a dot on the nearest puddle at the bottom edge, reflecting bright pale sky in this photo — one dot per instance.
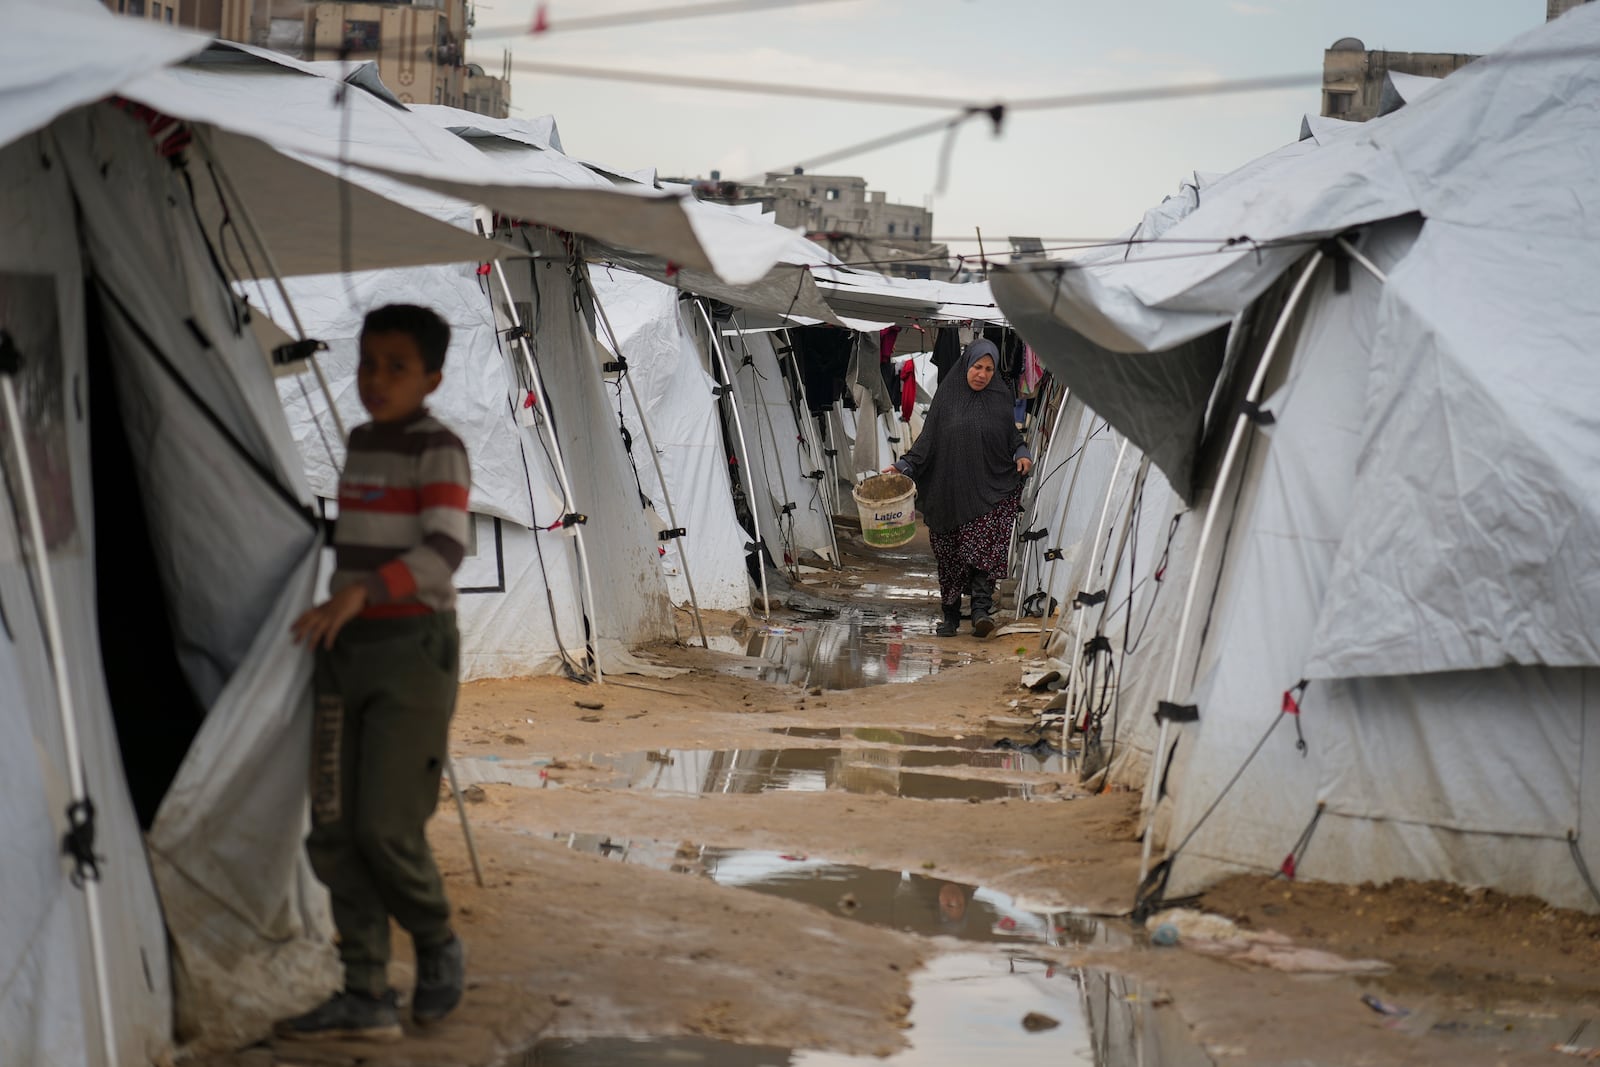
[967, 1007]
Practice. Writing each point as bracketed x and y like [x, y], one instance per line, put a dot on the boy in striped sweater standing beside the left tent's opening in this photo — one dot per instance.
[386, 652]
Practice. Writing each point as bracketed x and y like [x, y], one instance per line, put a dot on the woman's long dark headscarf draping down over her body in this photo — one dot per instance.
[966, 458]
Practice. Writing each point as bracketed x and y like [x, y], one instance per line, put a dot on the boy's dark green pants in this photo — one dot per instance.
[385, 697]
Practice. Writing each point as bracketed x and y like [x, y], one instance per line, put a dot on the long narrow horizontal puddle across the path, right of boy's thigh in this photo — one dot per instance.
[894, 772]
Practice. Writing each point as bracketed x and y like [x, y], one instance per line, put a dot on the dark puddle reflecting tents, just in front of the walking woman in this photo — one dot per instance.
[850, 652]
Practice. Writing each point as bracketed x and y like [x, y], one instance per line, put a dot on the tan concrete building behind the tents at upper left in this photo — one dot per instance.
[418, 46]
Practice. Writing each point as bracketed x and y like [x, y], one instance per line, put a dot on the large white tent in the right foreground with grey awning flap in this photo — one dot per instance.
[1414, 527]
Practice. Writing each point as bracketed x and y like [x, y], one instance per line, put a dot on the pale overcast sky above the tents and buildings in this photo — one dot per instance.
[1066, 174]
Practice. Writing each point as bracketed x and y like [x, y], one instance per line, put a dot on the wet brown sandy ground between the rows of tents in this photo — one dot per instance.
[572, 943]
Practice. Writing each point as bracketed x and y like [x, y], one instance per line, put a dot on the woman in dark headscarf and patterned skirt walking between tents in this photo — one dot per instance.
[969, 466]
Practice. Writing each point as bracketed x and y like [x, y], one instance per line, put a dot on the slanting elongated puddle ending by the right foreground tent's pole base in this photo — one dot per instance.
[911, 903]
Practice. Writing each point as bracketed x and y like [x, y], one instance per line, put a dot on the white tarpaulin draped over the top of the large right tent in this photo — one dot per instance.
[1474, 540]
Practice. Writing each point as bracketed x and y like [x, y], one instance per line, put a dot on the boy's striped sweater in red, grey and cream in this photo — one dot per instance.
[402, 516]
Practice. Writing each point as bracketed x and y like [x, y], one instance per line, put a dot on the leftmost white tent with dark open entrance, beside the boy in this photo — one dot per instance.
[156, 545]
